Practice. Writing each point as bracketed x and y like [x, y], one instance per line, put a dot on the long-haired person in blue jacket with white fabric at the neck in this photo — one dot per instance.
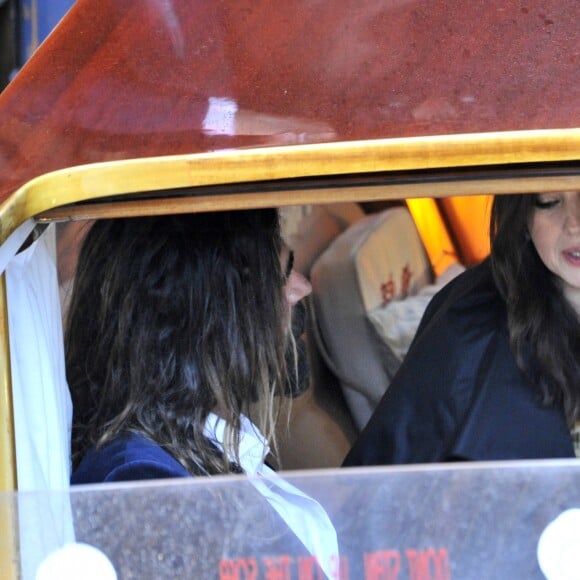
[176, 348]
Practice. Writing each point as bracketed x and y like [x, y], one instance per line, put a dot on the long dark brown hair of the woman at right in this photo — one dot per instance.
[540, 319]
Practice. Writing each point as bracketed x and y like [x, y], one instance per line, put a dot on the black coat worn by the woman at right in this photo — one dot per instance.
[458, 394]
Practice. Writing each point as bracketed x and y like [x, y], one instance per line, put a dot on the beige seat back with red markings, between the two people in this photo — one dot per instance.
[377, 260]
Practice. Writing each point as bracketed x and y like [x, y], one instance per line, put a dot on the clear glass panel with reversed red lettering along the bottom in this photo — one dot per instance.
[455, 521]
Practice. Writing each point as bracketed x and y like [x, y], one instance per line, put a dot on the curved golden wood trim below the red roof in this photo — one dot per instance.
[91, 182]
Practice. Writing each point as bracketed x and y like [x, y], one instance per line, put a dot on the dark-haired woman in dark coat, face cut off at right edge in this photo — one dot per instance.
[494, 371]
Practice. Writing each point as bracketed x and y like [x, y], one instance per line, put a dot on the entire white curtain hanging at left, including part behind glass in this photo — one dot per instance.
[42, 405]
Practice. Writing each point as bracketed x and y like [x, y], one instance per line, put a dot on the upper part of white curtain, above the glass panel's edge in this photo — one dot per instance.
[42, 405]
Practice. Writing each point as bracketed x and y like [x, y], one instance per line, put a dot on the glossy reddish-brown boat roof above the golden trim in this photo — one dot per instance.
[126, 79]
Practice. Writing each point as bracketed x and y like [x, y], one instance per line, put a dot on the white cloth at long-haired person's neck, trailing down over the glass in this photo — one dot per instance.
[304, 516]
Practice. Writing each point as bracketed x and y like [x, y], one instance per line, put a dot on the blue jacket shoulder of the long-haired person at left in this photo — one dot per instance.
[129, 457]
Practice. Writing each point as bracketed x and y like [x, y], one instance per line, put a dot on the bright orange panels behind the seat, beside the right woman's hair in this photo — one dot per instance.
[453, 229]
